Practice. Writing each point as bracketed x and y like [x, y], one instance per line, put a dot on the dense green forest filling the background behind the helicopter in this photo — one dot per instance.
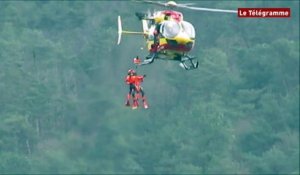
[63, 92]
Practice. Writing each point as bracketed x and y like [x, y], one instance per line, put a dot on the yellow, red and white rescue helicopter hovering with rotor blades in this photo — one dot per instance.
[167, 35]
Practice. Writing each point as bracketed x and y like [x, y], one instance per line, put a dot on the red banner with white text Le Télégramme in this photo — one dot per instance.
[264, 12]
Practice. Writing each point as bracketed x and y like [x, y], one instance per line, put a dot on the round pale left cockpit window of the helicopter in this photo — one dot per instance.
[170, 29]
